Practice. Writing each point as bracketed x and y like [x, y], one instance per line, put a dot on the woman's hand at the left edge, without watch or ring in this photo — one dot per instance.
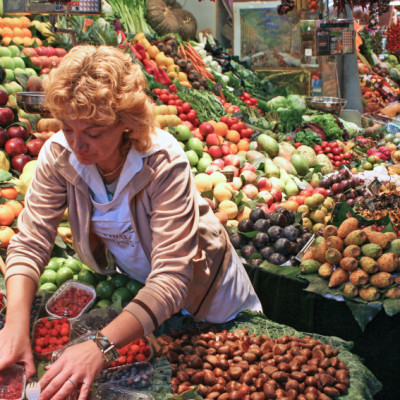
[16, 348]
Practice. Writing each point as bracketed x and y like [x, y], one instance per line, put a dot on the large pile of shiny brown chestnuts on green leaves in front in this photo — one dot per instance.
[238, 365]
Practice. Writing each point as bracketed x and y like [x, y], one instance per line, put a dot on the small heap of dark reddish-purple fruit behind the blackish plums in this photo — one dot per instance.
[343, 186]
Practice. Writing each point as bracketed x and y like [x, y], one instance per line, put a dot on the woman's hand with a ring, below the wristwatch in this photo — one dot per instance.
[78, 366]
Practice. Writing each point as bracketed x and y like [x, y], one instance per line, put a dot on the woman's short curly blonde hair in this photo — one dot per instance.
[102, 84]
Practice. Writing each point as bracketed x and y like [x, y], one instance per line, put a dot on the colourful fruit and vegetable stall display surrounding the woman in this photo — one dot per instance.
[310, 200]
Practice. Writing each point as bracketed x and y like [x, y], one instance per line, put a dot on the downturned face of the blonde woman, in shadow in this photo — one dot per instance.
[91, 143]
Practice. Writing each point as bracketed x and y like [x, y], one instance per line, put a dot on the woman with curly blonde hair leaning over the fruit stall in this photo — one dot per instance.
[129, 192]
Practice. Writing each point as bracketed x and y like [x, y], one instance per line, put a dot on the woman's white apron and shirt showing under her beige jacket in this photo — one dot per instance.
[111, 221]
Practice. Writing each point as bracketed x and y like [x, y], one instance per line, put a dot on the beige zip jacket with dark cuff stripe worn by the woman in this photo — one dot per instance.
[188, 248]
